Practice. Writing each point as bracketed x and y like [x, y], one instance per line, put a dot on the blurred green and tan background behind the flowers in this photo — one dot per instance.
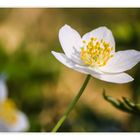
[42, 87]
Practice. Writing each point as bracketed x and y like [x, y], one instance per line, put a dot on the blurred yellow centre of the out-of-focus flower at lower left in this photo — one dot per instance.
[8, 112]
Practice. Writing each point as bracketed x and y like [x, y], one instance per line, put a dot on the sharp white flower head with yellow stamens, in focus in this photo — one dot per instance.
[95, 54]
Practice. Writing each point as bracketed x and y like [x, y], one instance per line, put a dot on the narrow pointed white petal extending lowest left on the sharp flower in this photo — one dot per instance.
[70, 64]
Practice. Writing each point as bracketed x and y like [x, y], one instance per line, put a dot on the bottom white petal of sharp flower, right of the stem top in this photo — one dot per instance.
[114, 78]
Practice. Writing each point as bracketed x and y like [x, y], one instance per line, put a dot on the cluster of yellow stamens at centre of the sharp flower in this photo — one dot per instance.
[96, 53]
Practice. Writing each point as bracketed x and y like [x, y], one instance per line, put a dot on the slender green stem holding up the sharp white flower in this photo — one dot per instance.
[72, 104]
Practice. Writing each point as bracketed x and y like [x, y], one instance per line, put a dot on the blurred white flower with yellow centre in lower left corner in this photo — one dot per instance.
[11, 119]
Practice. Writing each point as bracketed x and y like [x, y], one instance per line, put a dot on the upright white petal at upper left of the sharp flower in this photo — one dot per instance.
[70, 40]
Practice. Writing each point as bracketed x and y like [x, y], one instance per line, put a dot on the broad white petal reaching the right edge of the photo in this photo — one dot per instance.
[122, 61]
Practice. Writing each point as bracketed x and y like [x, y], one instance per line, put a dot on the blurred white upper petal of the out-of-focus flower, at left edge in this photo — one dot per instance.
[3, 90]
